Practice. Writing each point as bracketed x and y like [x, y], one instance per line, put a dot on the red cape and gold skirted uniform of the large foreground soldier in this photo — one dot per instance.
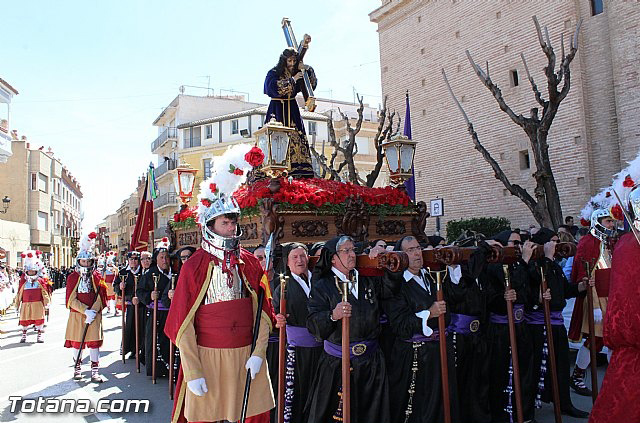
[213, 328]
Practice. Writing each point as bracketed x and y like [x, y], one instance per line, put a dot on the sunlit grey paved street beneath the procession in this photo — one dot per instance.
[34, 370]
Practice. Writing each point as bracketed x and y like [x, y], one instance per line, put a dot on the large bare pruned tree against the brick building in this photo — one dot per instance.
[545, 202]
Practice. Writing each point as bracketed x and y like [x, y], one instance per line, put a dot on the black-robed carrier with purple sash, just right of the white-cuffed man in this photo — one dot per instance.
[466, 301]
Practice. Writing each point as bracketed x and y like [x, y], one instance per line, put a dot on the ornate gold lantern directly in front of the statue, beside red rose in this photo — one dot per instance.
[273, 139]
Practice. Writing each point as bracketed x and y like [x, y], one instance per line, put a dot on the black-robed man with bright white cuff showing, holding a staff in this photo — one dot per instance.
[414, 365]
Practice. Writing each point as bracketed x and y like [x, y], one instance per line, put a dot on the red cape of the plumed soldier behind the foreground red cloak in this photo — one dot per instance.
[588, 251]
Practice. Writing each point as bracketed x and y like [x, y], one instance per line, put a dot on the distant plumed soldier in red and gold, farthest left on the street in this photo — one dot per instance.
[33, 296]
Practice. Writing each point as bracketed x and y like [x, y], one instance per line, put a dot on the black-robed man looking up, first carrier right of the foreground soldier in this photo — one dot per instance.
[303, 350]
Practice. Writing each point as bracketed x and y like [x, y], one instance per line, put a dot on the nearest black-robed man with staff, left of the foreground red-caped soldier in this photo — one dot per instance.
[150, 288]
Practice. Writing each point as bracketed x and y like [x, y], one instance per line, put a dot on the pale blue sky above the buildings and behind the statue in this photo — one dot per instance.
[93, 76]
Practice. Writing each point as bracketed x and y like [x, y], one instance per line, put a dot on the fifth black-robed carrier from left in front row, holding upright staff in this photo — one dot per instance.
[501, 393]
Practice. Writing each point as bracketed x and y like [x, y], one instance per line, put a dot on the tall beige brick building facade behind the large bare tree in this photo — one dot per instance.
[595, 133]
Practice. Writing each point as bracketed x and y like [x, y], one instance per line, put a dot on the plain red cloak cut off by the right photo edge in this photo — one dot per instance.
[617, 401]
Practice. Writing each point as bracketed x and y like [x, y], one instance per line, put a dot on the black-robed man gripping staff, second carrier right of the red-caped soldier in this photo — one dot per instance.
[369, 387]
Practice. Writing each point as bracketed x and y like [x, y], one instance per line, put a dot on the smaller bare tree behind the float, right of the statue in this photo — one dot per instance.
[347, 150]
